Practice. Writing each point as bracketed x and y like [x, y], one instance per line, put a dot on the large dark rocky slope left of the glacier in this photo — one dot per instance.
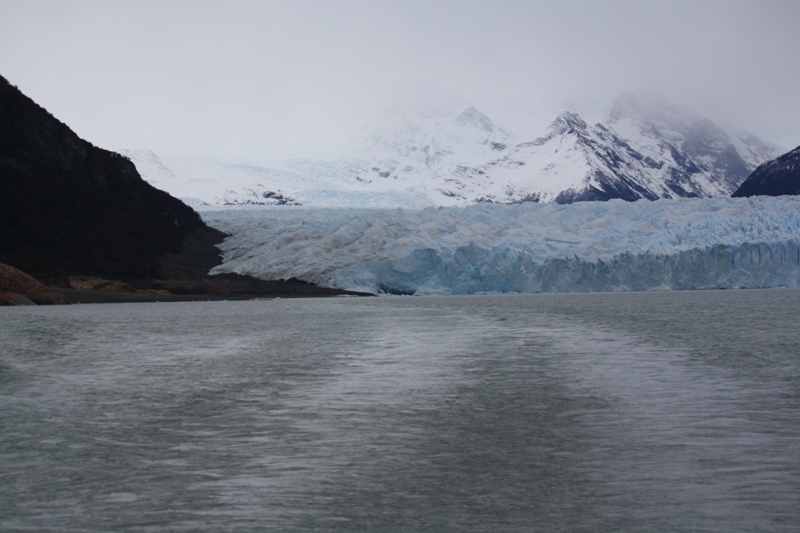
[70, 208]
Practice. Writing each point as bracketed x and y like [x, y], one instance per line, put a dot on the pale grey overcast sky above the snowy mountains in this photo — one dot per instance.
[257, 80]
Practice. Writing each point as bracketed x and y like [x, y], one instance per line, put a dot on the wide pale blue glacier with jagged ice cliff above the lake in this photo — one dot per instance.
[709, 243]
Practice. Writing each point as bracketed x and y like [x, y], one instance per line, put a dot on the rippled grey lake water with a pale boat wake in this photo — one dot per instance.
[667, 411]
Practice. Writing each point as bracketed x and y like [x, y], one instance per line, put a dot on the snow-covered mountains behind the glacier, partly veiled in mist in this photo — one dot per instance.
[449, 153]
